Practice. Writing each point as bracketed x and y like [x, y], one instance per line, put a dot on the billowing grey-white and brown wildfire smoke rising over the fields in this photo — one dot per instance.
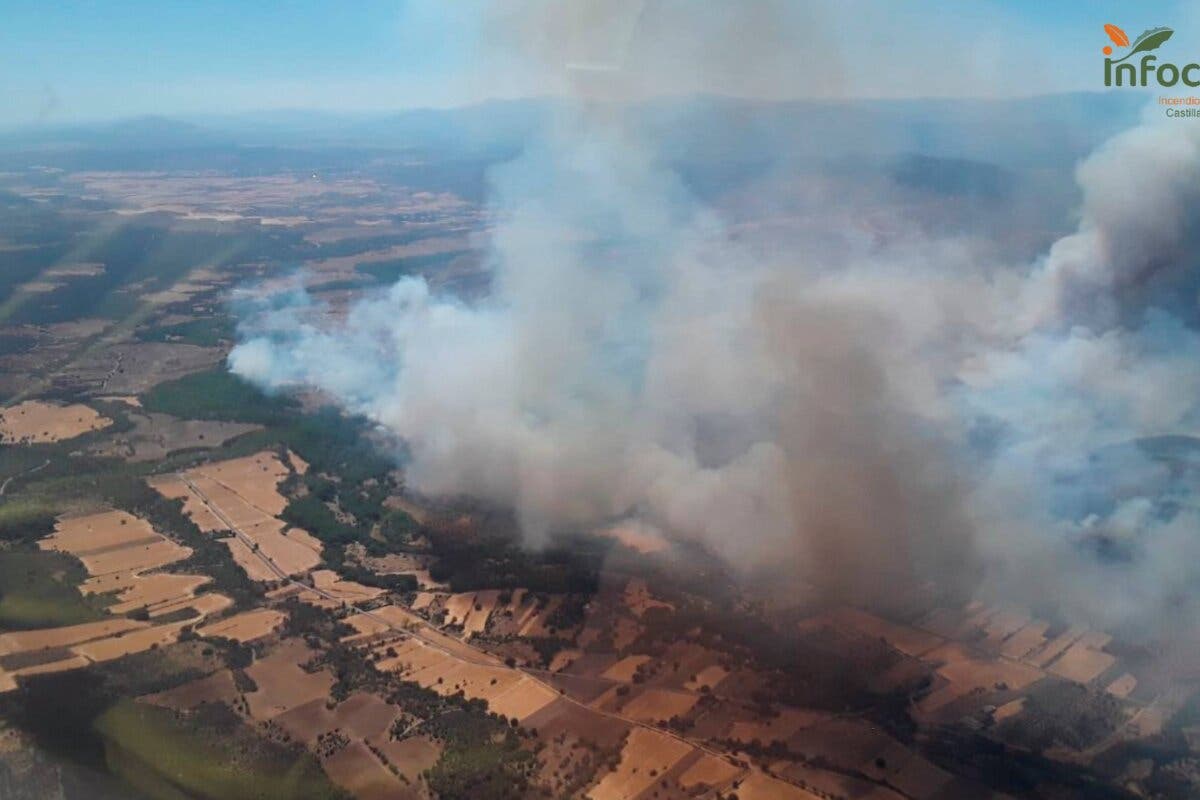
[874, 418]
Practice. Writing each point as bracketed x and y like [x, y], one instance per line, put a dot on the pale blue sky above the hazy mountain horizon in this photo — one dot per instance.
[67, 62]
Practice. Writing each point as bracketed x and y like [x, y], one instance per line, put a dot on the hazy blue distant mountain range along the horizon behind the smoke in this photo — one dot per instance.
[1027, 133]
